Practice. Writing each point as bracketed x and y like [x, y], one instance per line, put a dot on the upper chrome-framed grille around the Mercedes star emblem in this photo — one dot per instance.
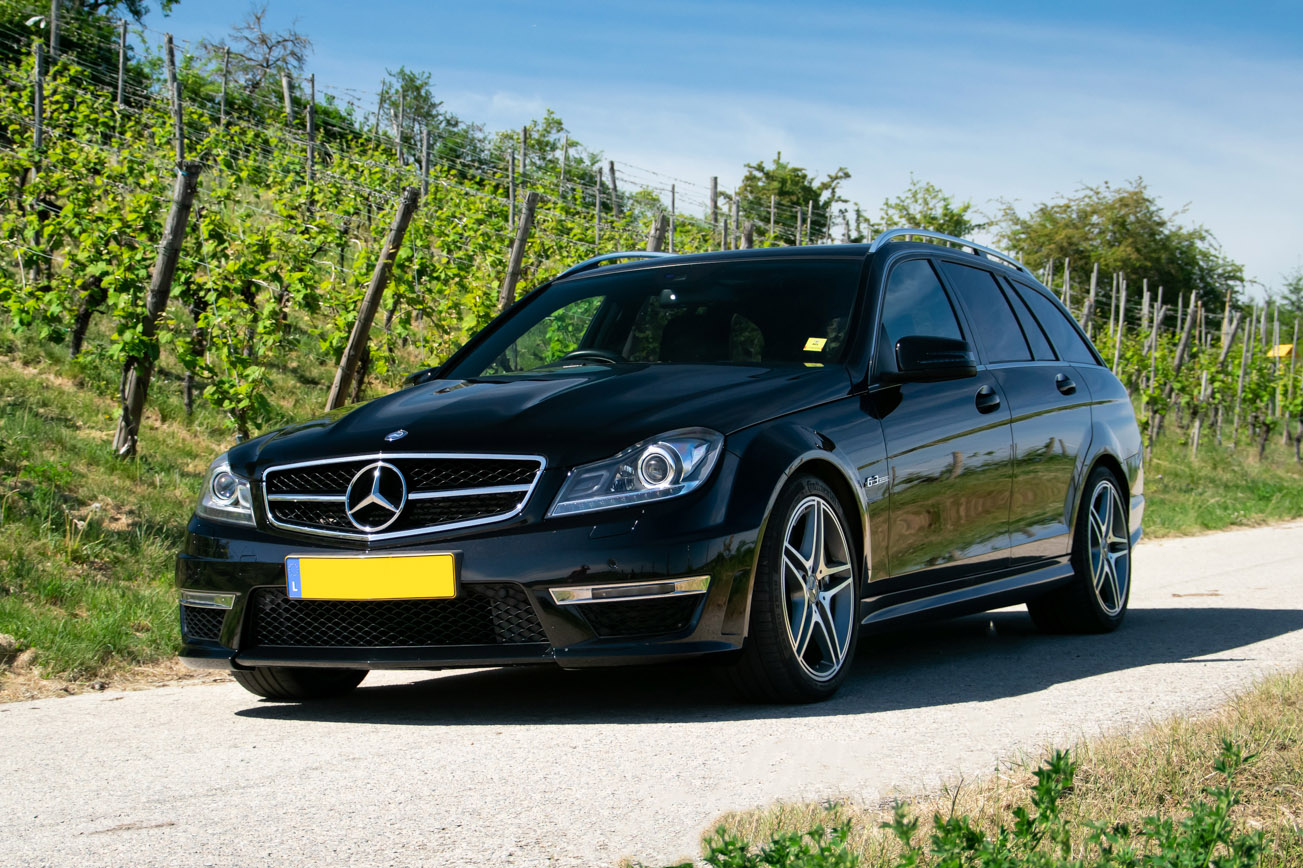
[442, 491]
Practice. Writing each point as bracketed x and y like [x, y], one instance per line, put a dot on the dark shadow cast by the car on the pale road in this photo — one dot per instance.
[967, 660]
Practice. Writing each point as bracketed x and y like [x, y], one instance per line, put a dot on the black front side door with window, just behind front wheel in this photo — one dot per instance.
[949, 446]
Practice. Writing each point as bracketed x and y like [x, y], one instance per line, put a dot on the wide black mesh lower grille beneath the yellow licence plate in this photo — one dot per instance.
[497, 615]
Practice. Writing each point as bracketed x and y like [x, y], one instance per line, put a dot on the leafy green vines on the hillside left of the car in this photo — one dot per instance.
[274, 263]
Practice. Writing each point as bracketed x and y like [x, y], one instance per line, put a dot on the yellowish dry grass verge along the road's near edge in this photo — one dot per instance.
[1164, 770]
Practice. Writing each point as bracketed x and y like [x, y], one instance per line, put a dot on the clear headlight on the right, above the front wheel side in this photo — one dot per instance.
[655, 470]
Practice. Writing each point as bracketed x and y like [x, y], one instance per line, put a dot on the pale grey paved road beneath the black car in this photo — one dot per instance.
[519, 768]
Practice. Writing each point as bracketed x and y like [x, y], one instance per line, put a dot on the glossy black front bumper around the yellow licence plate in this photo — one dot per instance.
[505, 586]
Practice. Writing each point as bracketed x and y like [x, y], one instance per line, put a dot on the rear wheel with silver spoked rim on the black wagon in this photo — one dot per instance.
[1096, 599]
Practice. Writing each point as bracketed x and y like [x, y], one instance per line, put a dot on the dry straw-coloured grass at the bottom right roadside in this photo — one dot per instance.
[1160, 770]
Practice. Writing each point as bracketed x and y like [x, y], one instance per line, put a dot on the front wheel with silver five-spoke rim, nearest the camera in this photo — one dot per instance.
[806, 598]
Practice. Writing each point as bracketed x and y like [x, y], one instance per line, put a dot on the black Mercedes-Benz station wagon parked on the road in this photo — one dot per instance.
[745, 458]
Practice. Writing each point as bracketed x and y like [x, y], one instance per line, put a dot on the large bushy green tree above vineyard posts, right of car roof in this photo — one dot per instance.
[1124, 230]
